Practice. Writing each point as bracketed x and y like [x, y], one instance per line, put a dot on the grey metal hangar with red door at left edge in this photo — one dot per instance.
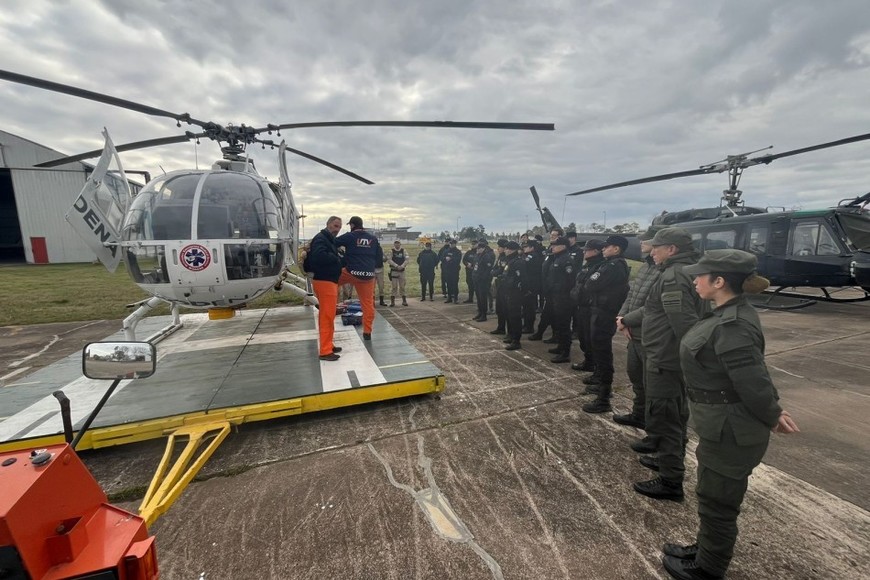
[33, 202]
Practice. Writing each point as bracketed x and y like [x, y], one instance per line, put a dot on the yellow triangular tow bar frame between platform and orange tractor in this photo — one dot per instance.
[166, 487]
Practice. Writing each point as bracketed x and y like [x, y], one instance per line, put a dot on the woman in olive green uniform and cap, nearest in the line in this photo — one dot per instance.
[733, 403]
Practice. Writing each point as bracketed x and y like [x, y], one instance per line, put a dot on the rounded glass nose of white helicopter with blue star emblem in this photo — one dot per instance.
[205, 239]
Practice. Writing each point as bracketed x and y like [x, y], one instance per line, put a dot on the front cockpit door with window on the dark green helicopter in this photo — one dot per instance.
[814, 255]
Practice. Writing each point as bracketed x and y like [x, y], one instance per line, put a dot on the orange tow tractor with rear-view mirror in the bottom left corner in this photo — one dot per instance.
[55, 519]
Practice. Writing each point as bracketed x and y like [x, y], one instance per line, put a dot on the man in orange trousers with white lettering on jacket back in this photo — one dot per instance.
[360, 255]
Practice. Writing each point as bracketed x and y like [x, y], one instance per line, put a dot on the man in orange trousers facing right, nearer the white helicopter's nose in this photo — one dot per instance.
[324, 263]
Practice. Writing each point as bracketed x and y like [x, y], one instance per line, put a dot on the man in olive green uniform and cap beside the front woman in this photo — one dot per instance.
[671, 309]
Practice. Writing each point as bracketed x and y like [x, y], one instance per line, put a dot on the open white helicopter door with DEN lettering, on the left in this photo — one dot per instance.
[98, 212]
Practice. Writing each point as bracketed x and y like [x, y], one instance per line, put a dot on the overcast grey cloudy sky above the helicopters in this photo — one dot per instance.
[635, 88]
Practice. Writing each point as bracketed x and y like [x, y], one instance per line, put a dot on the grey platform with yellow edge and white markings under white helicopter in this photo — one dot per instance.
[258, 365]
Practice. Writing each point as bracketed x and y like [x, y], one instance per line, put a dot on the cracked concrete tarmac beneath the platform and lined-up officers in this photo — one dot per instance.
[503, 476]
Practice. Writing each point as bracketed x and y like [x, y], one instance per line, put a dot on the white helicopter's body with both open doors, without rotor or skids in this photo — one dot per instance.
[197, 238]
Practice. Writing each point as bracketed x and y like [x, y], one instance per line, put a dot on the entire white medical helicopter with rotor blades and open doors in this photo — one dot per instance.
[207, 239]
